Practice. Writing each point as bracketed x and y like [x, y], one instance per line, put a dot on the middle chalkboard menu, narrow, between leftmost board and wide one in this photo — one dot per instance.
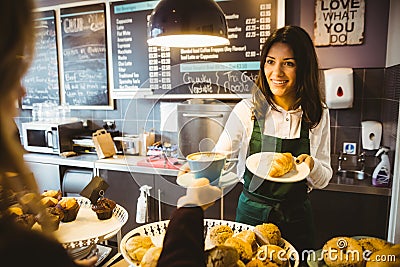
[84, 52]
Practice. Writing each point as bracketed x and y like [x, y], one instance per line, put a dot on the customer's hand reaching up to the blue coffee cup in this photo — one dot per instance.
[201, 194]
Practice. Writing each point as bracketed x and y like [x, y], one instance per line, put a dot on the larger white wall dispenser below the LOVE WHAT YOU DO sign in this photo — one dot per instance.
[339, 89]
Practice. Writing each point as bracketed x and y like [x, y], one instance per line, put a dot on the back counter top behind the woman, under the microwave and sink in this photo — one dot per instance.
[129, 164]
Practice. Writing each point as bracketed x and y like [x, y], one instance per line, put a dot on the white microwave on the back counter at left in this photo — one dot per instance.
[50, 137]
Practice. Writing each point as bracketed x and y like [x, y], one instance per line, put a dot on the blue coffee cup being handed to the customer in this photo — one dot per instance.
[210, 165]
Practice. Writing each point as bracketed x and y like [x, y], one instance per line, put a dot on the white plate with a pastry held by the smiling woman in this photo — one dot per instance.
[260, 163]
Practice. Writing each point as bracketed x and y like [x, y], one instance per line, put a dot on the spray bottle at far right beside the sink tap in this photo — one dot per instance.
[381, 174]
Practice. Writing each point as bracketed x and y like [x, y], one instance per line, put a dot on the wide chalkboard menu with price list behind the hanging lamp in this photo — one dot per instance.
[229, 69]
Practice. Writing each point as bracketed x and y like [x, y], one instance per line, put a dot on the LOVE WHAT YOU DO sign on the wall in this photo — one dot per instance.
[339, 22]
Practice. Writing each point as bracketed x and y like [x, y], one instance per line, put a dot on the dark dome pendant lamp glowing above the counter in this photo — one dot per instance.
[187, 23]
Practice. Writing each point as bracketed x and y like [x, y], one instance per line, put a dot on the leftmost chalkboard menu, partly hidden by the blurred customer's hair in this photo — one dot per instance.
[42, 81]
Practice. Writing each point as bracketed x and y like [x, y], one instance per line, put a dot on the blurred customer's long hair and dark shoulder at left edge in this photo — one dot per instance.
[19, 245]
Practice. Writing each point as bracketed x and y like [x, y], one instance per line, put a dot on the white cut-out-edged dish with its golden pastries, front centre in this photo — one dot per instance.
[240, 248]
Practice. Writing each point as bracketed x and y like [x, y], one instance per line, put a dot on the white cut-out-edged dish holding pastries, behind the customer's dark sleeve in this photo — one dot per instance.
[157, 230]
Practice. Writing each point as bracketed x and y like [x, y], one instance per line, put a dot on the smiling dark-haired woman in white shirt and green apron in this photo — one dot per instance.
[285, 114]
